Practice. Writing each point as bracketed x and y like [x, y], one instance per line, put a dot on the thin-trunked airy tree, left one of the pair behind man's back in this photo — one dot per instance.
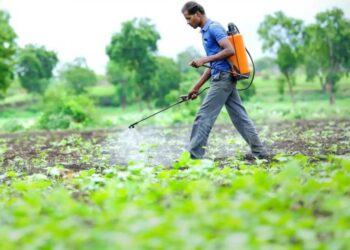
[282, 36]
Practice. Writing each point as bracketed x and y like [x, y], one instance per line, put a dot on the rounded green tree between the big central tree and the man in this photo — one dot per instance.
[166, 78]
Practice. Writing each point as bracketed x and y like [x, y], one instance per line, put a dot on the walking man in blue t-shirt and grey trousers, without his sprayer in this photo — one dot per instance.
[222, 86]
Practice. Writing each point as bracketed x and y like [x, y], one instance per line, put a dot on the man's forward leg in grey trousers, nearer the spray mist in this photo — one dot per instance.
[206, 116]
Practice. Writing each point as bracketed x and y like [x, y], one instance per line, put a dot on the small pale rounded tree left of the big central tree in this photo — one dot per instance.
[78, 76]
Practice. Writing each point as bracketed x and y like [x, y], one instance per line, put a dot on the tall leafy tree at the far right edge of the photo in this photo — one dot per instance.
[327, 49]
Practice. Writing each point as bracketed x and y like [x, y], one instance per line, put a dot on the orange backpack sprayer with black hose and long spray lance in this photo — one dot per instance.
[239, 67]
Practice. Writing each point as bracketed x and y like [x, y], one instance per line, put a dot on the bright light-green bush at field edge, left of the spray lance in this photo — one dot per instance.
[64, 111]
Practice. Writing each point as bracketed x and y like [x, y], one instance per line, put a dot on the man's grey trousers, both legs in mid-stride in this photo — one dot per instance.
[222, 92]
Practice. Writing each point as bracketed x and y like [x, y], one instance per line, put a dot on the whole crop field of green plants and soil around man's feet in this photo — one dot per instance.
[135, 189]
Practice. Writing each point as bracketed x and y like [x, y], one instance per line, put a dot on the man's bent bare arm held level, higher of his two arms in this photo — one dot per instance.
[226, 52]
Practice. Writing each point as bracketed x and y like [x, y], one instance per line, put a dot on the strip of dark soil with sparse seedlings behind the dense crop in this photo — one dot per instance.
[76, 150]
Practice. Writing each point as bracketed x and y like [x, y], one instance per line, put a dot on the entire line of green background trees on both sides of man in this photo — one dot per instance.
[322, 49]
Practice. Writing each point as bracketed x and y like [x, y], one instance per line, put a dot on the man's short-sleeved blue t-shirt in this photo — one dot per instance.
[212, 33]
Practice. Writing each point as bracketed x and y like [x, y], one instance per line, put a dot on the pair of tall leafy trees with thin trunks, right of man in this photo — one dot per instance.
[321, 48]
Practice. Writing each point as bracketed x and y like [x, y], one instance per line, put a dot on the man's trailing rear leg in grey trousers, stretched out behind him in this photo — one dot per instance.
[243, 124]
